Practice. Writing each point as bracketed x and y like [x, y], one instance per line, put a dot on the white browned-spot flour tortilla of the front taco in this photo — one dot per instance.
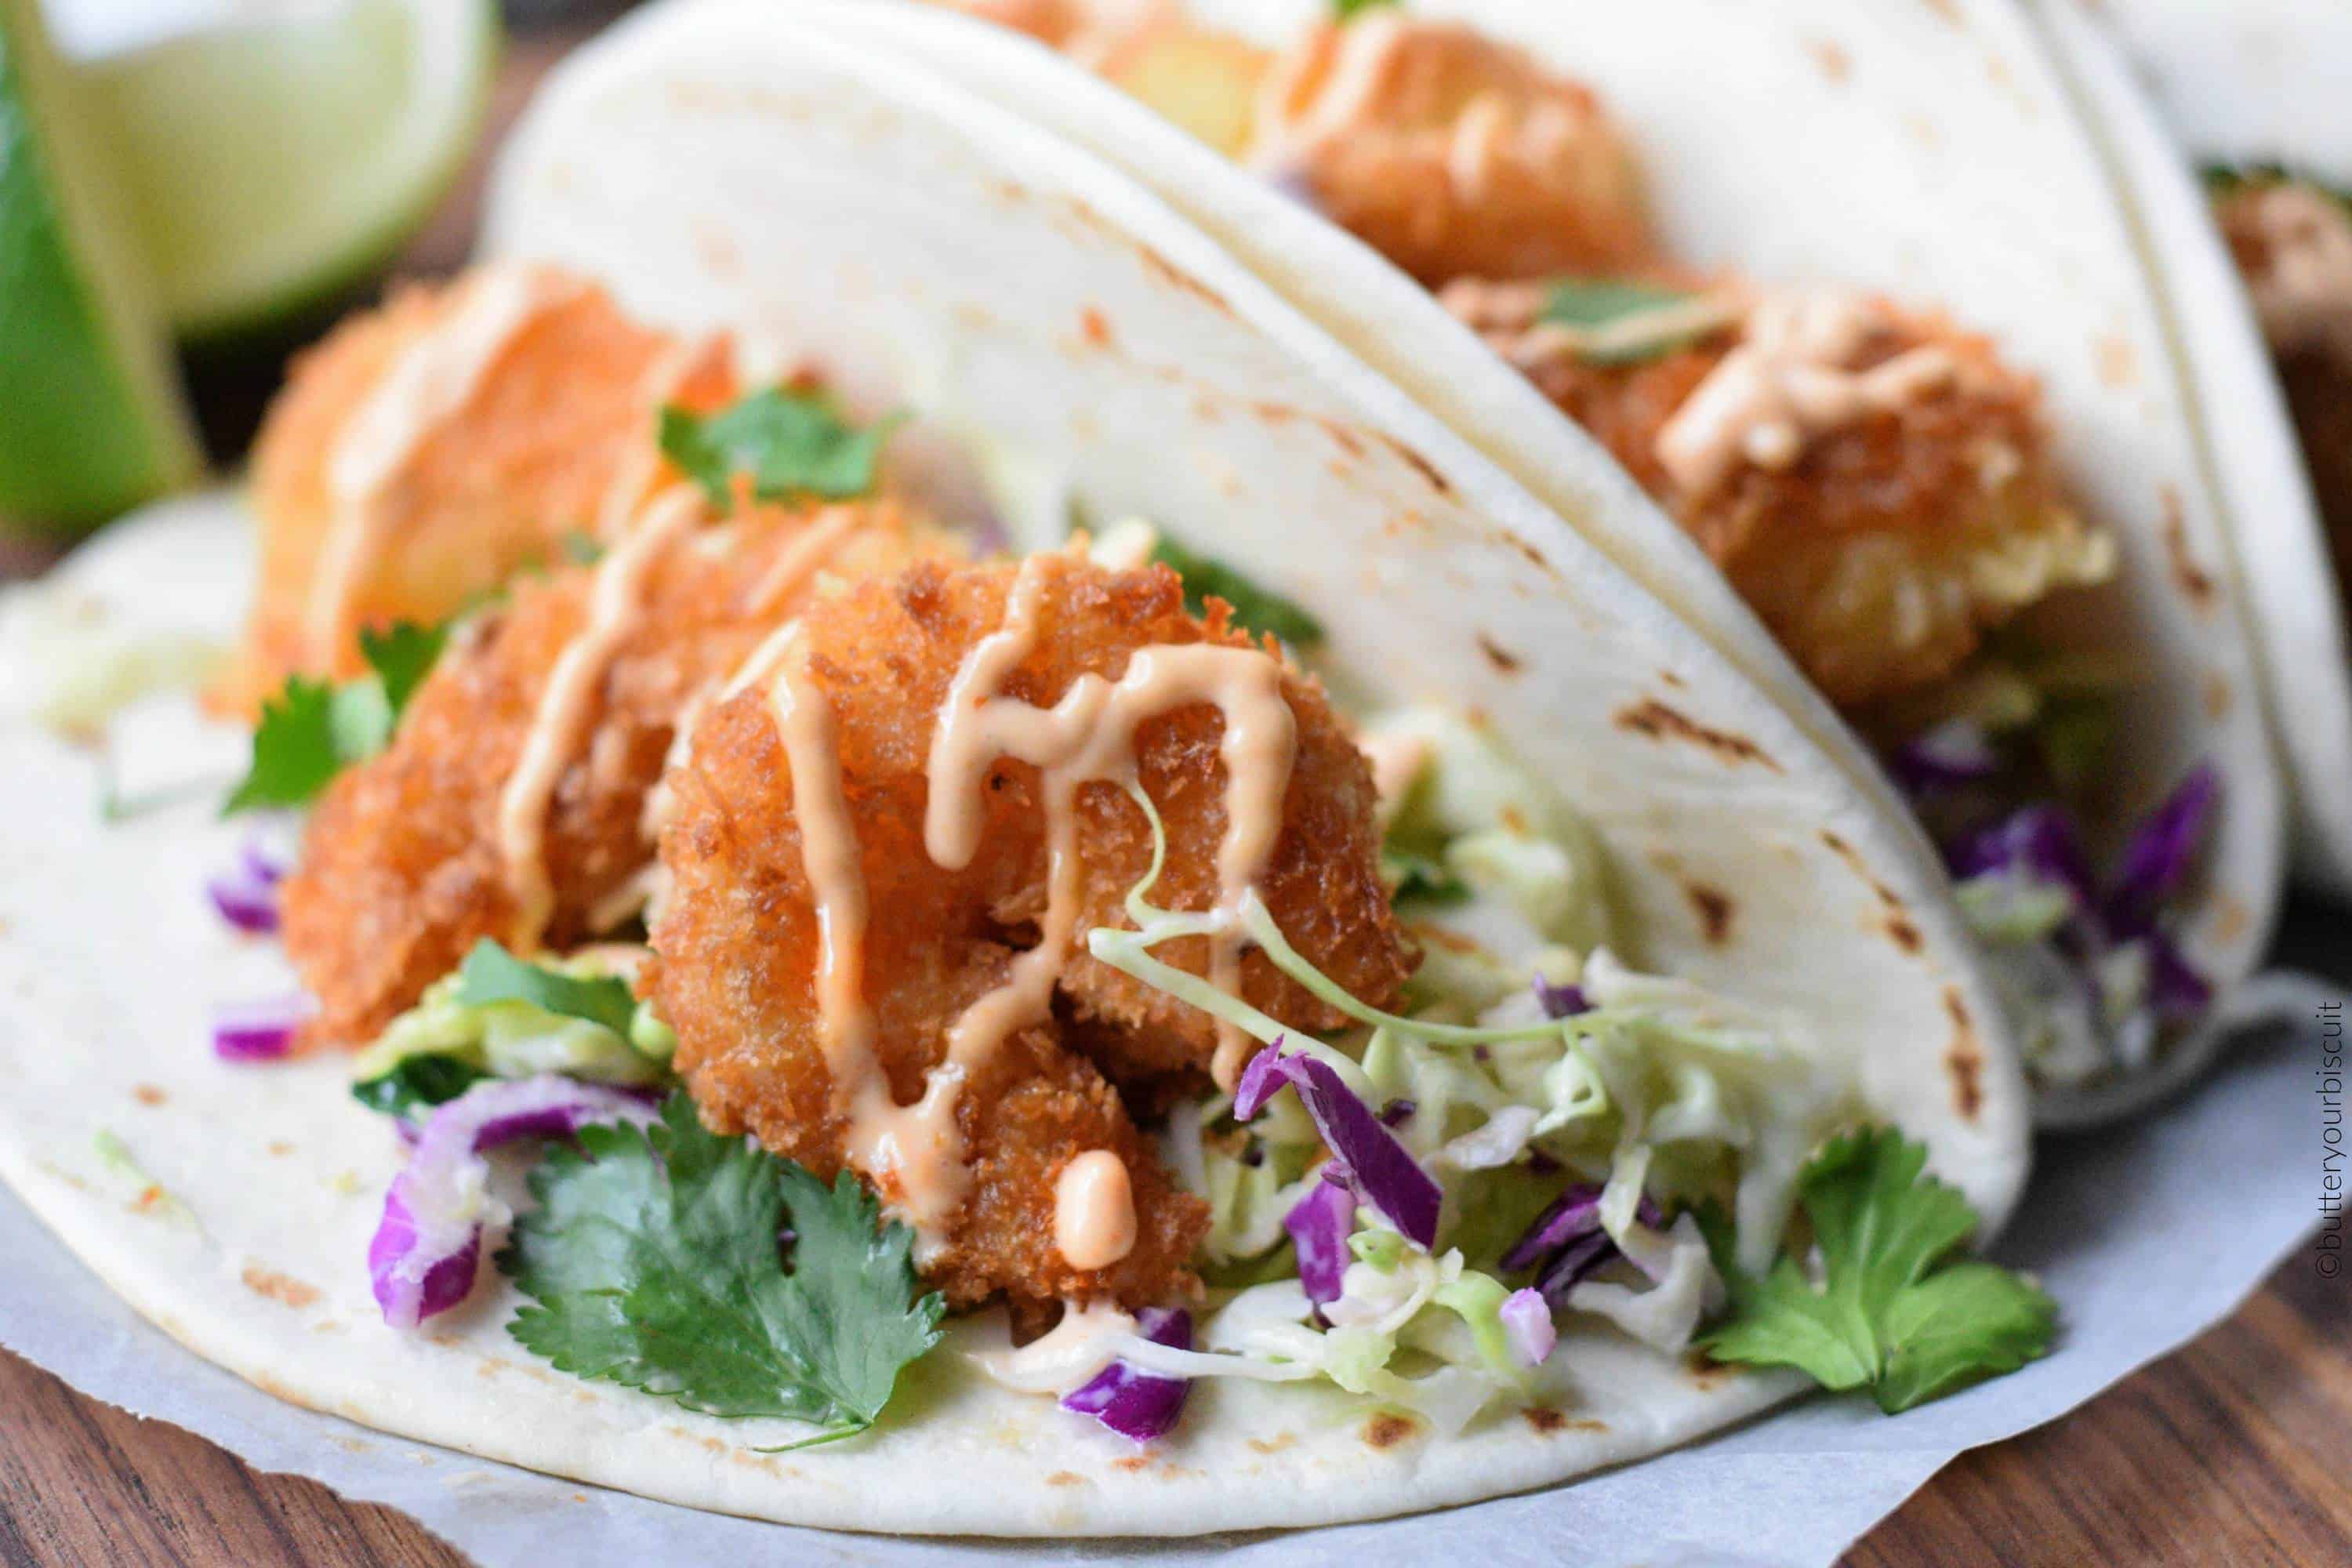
[733, 168]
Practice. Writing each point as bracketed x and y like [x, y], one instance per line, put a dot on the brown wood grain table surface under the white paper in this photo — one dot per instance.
[2231, 1454]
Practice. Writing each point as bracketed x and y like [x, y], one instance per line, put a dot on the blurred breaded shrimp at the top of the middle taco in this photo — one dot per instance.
[1452, 154]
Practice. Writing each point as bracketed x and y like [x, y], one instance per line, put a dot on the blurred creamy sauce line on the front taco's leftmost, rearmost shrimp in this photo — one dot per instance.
[429, 384]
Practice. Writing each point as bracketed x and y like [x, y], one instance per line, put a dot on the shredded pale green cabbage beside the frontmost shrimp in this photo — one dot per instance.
[1662, 1087]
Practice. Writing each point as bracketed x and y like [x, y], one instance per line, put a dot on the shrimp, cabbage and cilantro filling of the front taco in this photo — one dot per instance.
[876, 932]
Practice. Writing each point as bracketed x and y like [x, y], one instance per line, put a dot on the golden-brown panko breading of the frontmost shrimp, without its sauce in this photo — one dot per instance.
[740, 939]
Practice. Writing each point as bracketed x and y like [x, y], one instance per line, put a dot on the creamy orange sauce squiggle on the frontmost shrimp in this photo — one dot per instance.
[914, 1153]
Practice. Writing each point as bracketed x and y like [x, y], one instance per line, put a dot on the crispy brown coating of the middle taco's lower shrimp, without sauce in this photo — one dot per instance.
[1892, 544]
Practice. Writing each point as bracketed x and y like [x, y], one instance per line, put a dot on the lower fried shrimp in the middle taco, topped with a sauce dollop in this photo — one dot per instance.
[1876, 483]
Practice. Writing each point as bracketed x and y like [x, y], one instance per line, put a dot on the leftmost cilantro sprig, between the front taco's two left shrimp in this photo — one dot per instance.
[314, 730]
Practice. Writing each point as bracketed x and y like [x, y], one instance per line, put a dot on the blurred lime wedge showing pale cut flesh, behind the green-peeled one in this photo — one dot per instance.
[276, 163]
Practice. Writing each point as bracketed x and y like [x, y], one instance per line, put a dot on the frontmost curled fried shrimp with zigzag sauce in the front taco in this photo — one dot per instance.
[886, 866]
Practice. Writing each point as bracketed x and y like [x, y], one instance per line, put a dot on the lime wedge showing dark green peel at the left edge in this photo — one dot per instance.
[91, 410]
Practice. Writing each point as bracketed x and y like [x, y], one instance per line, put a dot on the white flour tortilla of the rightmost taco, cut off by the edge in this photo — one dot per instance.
[2243, 83]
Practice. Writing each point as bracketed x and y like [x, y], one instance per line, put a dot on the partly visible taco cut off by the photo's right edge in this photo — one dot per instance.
[2250, 93]
